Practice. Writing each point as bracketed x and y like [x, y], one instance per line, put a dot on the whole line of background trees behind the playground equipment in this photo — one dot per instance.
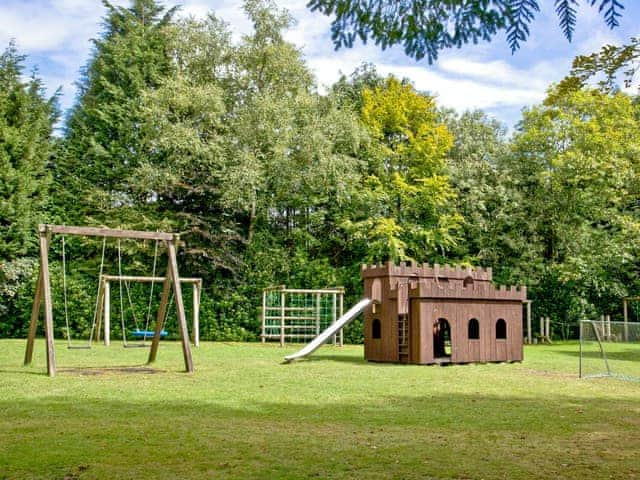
[177, 127]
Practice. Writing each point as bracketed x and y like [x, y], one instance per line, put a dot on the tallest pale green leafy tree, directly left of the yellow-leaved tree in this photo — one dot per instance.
[291, 153]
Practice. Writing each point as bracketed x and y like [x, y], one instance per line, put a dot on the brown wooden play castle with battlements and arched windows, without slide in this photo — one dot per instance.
[426, 314]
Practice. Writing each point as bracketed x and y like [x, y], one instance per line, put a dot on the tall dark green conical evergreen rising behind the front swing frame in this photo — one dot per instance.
[103, 134]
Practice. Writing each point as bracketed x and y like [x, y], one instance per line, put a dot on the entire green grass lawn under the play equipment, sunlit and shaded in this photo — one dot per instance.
[243, 414]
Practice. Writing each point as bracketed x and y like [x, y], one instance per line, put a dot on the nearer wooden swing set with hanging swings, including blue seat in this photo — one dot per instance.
[171, 282]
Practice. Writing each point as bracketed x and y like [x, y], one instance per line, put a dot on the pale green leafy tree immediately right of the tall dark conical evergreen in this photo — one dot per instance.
[181, 173]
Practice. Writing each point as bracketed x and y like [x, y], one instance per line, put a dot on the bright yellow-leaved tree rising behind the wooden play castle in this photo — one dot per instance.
[410, 207]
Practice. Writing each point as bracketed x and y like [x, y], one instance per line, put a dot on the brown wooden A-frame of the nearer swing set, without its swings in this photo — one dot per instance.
[43, 290]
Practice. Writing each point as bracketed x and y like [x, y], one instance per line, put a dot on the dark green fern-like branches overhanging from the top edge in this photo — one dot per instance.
[424, 27]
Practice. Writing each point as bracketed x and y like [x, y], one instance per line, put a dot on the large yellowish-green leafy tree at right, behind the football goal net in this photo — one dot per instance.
[571, 225]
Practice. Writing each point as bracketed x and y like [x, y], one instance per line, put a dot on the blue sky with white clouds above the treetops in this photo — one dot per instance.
[55, 34]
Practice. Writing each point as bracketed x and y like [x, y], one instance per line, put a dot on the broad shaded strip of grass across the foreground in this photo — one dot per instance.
[391, 436]
